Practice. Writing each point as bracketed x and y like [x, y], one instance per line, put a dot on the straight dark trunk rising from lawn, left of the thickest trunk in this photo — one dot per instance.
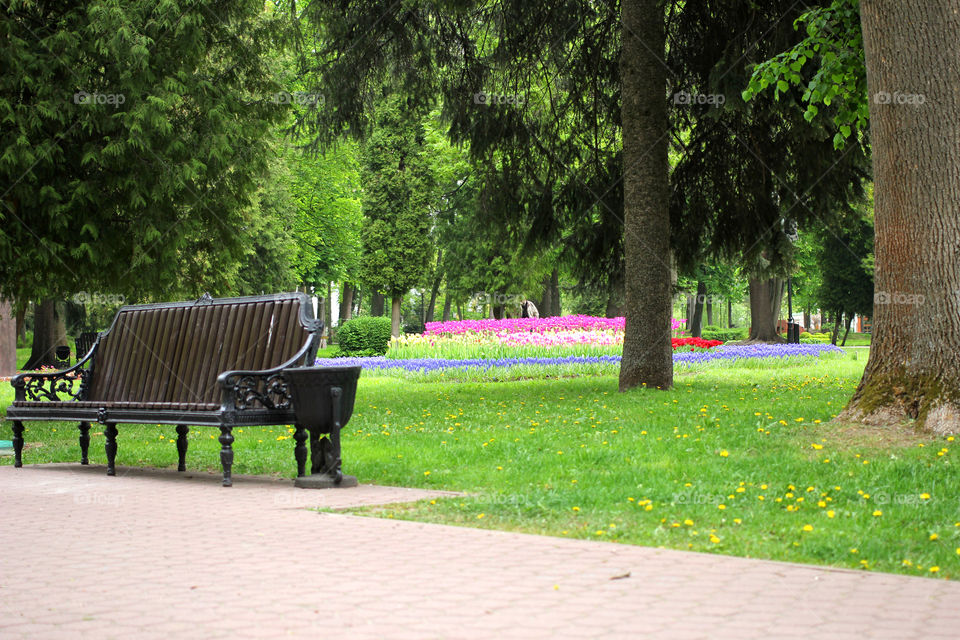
[647, 356]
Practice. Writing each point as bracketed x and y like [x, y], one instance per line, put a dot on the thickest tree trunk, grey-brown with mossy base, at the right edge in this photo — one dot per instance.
[913, 370]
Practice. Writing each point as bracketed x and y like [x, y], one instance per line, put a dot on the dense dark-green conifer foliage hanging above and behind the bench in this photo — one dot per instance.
[134, 135]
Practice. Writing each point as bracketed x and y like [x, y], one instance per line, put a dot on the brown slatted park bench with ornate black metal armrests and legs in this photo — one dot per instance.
[210, 362]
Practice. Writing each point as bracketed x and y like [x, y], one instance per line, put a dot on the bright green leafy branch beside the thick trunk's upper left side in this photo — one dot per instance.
[834, 47]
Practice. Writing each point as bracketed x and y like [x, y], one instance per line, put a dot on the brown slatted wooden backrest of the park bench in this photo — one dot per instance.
[173, 352]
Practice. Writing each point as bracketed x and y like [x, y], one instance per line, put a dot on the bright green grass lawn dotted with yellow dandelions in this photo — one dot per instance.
[734, 460]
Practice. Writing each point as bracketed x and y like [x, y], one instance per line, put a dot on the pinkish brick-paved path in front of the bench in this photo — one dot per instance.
[152, 554]
